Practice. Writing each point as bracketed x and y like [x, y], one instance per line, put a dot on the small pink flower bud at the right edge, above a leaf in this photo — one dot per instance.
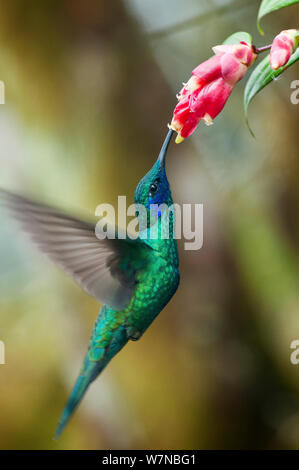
[283, 46]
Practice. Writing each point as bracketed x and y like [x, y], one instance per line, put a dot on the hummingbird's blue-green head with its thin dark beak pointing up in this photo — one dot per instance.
[154, 186]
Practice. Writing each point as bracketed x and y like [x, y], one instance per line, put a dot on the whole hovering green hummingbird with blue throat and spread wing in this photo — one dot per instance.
[132, 279]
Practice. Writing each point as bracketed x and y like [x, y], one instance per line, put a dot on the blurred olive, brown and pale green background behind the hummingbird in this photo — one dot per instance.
[90, 87]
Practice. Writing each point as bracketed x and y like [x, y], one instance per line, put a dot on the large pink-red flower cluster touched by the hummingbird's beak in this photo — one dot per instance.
[205, 94]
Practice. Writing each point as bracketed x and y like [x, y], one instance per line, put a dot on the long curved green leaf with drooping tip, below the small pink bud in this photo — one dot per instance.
[262, 75]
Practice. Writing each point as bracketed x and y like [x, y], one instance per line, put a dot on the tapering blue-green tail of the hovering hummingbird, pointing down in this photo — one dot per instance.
[105, 342]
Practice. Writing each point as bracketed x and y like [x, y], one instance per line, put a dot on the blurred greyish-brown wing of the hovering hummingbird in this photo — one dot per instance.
[95, 264]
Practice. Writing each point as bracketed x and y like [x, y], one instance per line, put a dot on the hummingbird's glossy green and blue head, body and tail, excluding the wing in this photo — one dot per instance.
[157, 280]
